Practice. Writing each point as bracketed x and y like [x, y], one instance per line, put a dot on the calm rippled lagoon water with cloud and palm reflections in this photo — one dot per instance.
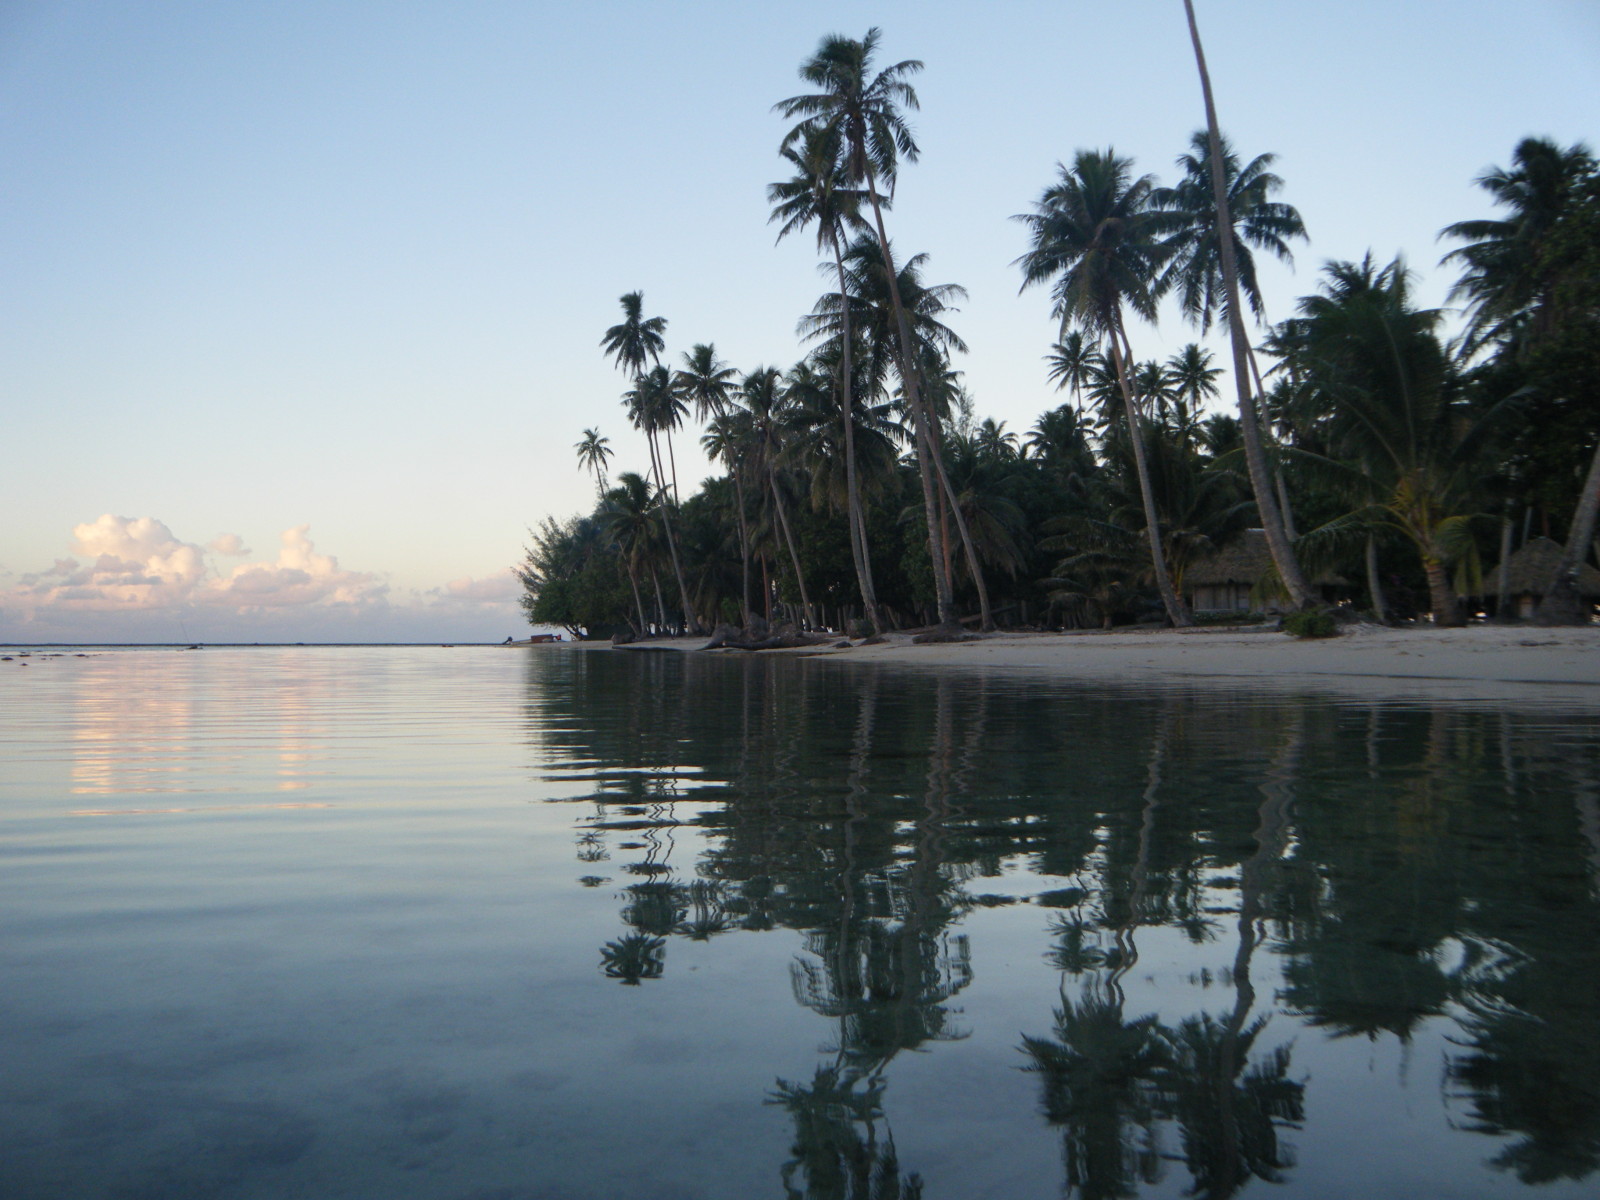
[498, 926]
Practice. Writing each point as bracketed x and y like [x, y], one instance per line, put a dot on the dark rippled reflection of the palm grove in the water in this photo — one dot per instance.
[1414, 873]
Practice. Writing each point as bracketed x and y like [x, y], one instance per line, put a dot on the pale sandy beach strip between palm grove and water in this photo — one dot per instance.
[1481, 663]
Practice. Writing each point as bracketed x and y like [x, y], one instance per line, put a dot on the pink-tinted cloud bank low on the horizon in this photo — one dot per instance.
[134, 580]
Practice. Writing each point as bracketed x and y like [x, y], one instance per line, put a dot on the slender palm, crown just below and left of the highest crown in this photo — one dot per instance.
[820, 193]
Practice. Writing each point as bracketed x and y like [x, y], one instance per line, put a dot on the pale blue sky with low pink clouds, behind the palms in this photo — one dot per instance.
[302, 303]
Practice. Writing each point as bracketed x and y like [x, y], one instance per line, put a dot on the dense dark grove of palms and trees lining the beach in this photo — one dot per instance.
[1388, 465]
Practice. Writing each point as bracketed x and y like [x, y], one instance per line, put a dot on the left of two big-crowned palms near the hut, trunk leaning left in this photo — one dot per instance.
[1095, 234]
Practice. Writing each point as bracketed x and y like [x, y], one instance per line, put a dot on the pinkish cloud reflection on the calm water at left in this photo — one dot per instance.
[140, 732]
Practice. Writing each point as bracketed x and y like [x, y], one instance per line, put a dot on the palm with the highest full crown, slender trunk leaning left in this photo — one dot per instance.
[865, 111]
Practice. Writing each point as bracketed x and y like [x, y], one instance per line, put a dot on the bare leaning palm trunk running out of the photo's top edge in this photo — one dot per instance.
[1302, 593]
